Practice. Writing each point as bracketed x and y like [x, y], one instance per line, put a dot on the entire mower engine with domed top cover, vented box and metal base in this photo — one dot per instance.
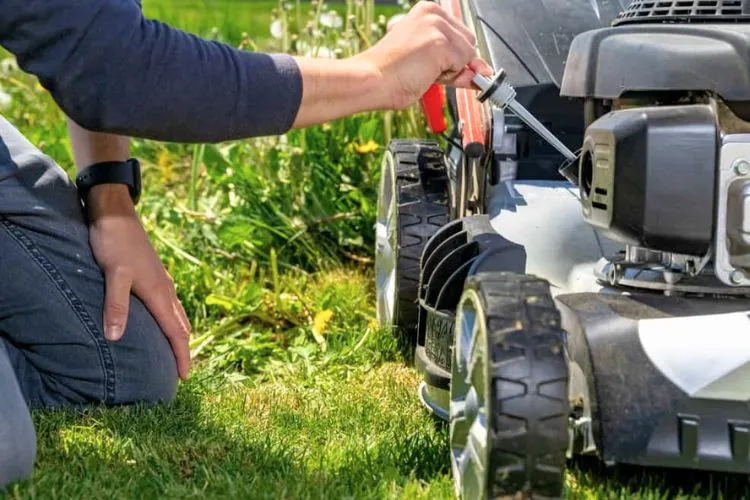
[665, 164]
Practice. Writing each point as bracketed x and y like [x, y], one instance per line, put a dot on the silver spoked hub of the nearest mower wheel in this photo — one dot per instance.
[469, 408]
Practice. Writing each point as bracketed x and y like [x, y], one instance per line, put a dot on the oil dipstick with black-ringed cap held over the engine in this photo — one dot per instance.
[503, 95]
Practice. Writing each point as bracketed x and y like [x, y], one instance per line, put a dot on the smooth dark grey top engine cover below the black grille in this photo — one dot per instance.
[610, 62]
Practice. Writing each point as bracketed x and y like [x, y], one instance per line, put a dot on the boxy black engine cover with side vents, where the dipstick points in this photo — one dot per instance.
[647, 177]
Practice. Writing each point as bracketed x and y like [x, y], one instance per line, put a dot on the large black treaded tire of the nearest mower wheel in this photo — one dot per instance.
[527, 405]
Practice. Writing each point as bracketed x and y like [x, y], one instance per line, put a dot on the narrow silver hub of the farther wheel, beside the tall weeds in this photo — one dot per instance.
[386, 241]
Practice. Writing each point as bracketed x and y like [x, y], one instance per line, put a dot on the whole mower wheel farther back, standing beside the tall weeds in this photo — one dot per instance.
[412, 206]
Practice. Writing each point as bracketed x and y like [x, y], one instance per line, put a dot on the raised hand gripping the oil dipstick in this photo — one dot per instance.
[428, 45]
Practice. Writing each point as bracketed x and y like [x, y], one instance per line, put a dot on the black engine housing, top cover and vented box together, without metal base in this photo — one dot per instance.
[667, 69]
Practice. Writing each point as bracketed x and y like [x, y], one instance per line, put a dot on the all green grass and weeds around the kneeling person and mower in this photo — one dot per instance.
[296, 394]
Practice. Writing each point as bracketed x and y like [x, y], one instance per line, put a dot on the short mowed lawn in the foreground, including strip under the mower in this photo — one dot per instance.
[345, 426]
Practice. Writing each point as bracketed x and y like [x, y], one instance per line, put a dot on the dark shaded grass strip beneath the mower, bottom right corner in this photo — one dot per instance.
[635, 481]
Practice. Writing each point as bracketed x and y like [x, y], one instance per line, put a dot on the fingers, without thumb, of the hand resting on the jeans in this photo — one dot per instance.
[169, 313]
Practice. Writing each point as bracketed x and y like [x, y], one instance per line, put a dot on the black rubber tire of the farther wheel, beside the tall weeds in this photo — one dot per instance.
[421, 197]
